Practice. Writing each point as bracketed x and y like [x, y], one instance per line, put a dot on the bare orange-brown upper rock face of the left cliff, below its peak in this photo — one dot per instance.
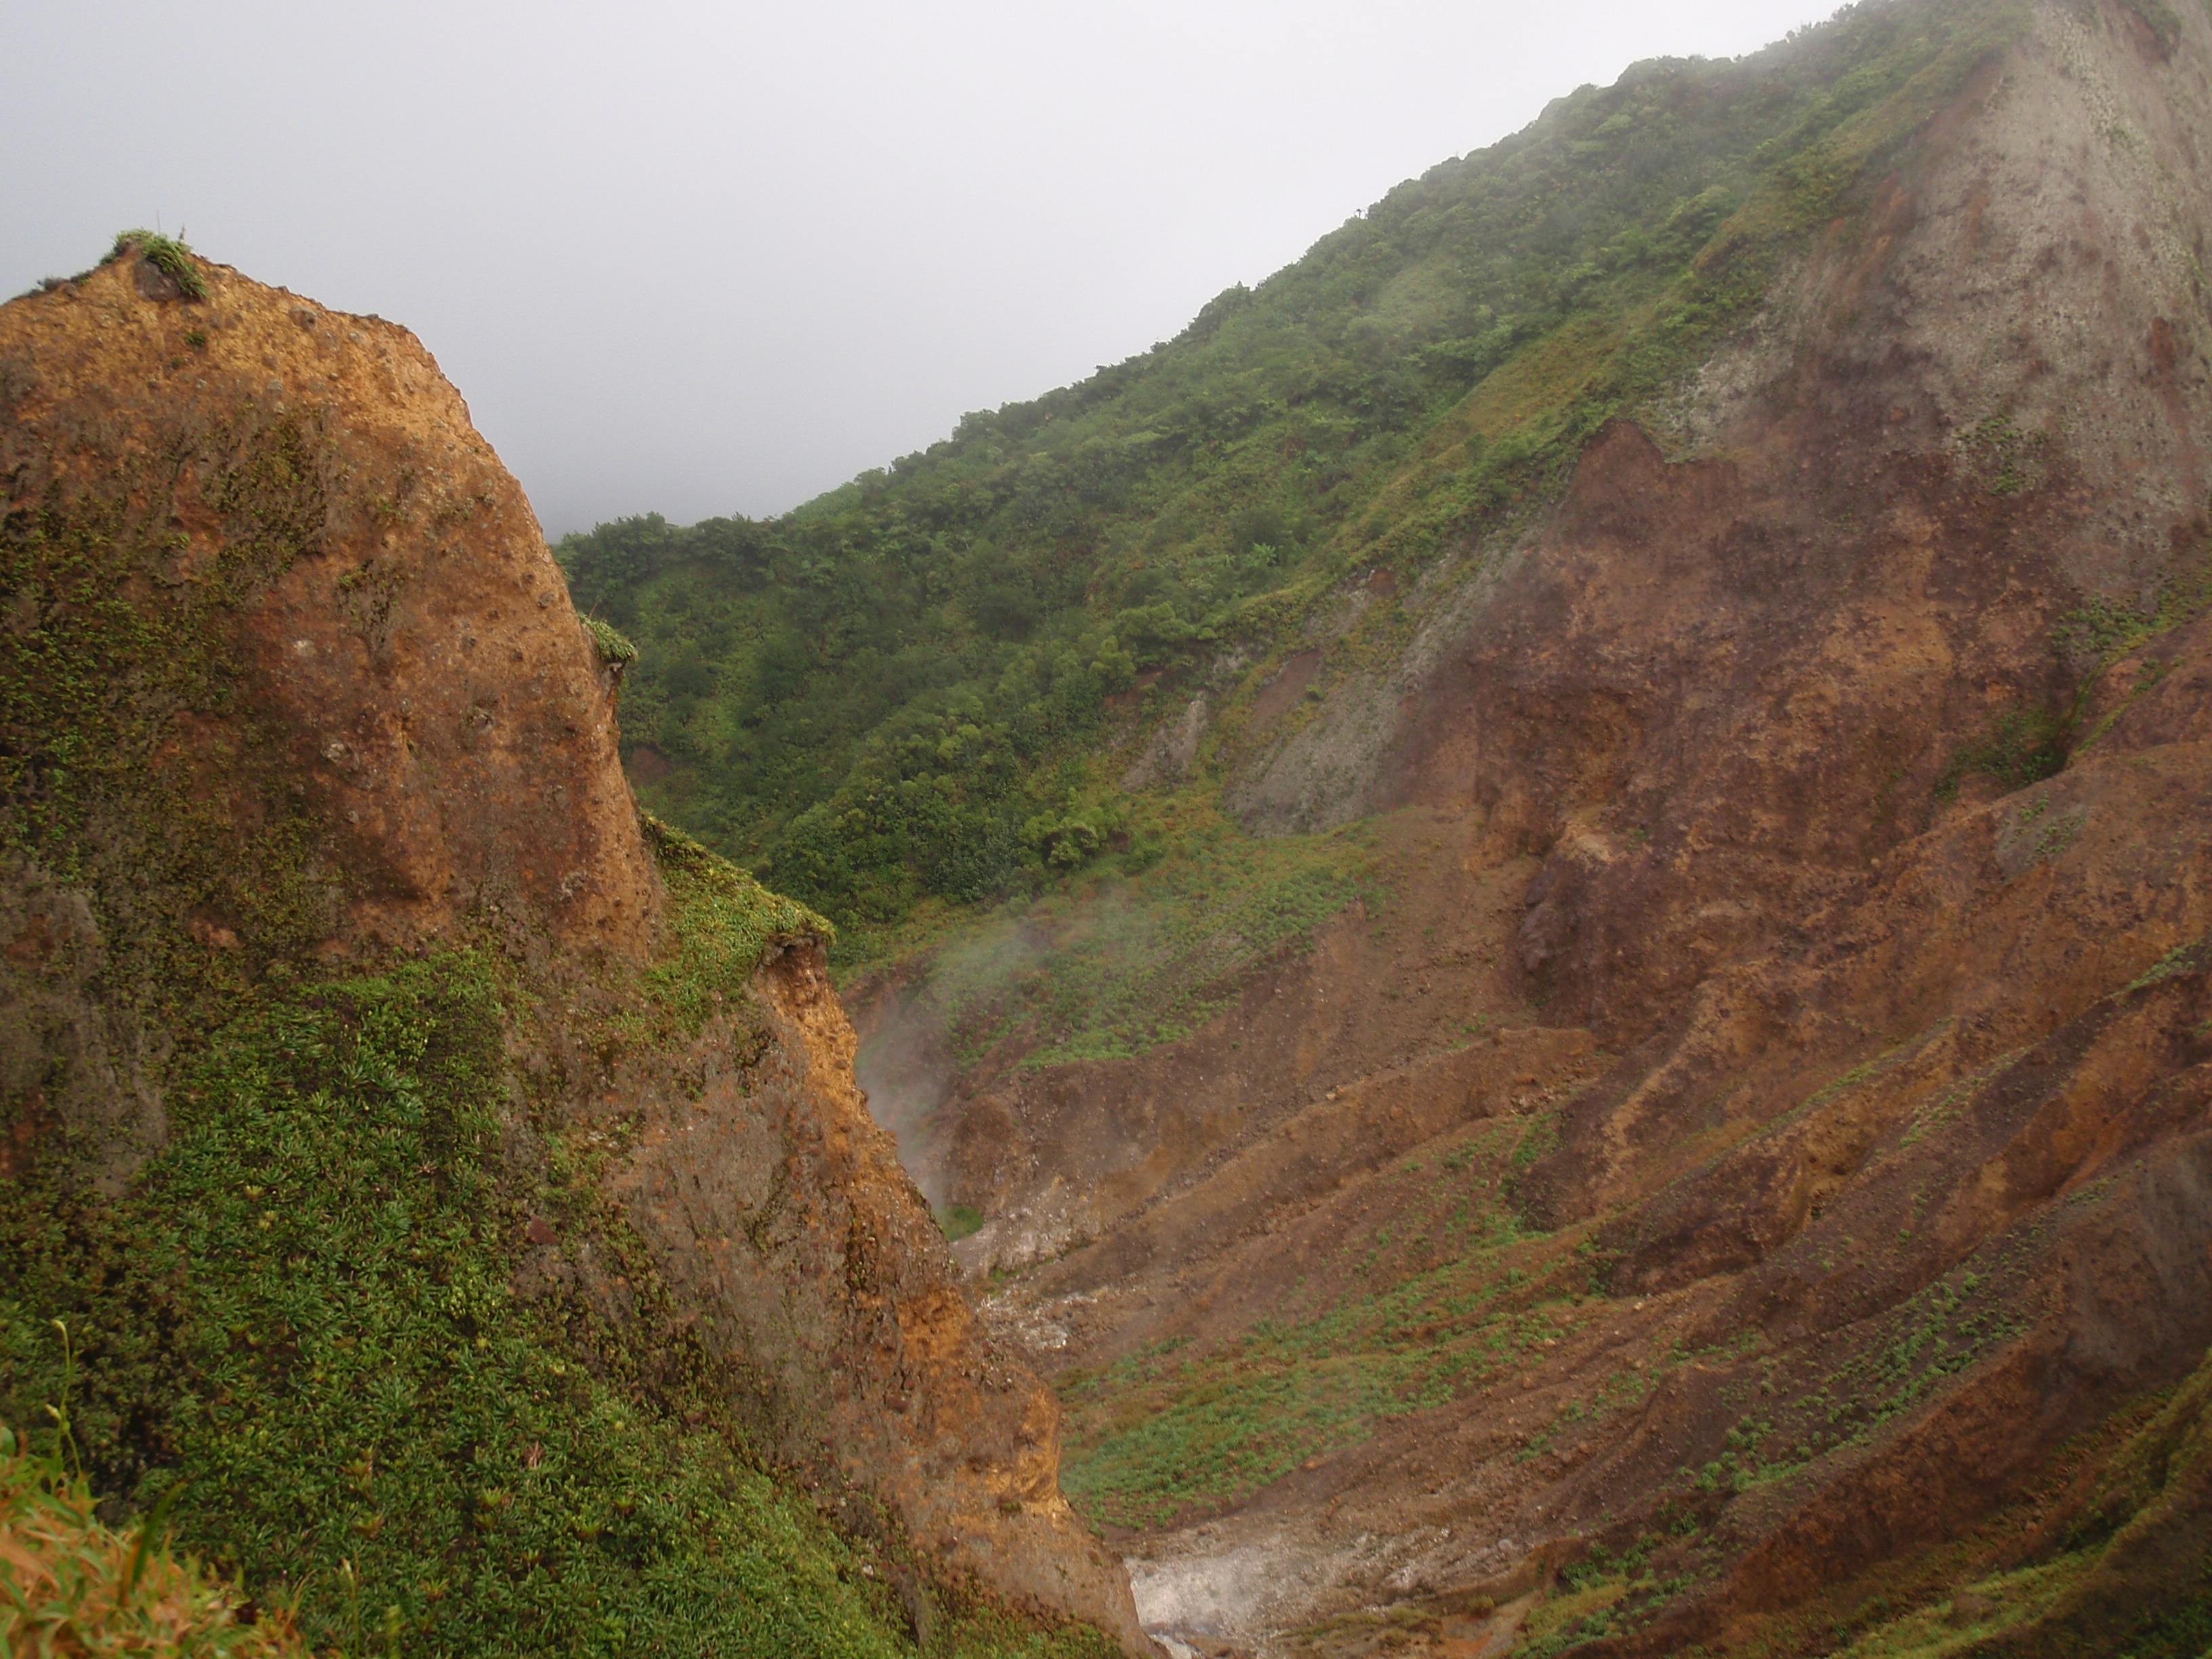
[410, 667]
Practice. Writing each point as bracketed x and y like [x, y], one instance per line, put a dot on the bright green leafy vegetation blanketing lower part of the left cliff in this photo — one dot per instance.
[304, 1326]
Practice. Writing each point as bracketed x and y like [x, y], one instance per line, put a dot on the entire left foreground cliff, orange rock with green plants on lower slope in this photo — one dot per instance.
[455, 1178]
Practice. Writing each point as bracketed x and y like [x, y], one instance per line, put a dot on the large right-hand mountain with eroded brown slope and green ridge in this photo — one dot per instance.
[1625, 1081]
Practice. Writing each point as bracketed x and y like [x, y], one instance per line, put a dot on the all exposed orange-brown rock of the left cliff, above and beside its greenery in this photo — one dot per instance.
[293, 685]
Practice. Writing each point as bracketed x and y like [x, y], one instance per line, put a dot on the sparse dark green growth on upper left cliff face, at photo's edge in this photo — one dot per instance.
[132, 764]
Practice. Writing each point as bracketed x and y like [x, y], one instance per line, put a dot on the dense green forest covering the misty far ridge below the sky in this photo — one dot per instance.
[893, 698]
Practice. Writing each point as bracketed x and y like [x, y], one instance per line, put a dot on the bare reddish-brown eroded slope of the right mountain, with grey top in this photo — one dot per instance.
[1888, 1016]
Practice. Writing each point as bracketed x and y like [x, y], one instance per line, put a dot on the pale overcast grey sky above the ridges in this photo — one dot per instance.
[720, 258]
